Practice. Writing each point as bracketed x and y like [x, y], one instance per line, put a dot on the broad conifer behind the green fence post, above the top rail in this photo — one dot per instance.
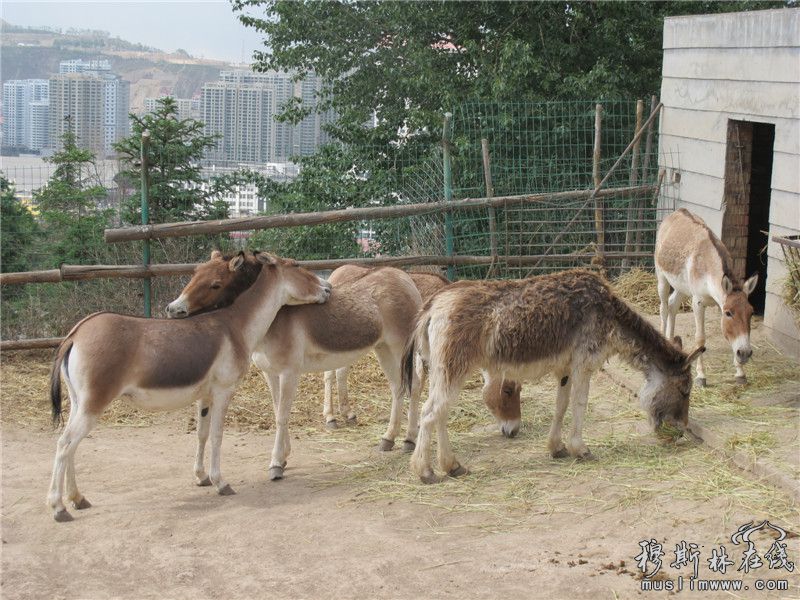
[177, 190]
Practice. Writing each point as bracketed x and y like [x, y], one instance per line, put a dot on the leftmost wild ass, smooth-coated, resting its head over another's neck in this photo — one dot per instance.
[163, 365]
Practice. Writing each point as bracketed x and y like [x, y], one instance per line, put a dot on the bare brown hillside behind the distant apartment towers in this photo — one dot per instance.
[35, 54]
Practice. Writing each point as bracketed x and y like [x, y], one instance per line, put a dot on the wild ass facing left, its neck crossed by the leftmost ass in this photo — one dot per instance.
[373, 312]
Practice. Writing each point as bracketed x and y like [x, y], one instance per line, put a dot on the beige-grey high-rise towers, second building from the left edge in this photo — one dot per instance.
[97, 102]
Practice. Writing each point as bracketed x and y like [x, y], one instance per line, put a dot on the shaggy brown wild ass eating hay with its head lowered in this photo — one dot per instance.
[566, 324]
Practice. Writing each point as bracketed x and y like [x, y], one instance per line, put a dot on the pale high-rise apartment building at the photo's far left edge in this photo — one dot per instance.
[22, 104]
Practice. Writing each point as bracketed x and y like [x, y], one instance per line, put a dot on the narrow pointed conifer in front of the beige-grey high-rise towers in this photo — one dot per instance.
[71, 206]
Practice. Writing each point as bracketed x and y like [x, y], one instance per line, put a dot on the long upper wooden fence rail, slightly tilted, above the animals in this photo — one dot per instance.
[166, 230]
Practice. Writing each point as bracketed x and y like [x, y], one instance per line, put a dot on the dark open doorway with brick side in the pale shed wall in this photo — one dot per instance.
[748, 182]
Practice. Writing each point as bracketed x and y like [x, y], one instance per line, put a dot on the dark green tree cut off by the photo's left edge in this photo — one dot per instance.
[19, 231]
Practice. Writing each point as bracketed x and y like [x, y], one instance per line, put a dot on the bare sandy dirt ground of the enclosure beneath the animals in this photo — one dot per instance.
[351, 522]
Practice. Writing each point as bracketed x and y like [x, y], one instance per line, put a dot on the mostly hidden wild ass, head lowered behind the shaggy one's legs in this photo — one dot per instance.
[501, 397]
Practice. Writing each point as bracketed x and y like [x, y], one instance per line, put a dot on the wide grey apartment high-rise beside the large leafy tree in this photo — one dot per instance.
[241, 107]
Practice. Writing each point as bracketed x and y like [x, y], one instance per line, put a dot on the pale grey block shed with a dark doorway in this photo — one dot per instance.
[731, 125]
